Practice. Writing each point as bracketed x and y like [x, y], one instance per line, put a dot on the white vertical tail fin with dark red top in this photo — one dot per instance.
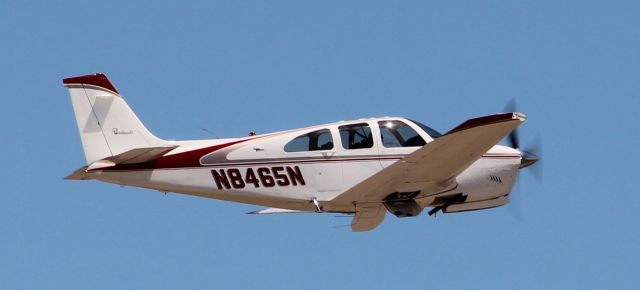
[108, 127]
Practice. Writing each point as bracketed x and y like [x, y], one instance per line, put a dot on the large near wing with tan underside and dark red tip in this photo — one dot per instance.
[434, 167]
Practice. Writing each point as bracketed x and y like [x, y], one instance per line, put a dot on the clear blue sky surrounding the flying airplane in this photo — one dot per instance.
[239, 66]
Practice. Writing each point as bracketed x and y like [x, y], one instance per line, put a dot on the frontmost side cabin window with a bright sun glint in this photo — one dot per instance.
[398, 134]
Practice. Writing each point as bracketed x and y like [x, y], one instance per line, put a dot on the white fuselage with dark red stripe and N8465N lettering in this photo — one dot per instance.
[260, 170]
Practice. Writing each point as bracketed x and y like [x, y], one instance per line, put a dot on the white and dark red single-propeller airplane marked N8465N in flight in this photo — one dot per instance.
[363, 167]
